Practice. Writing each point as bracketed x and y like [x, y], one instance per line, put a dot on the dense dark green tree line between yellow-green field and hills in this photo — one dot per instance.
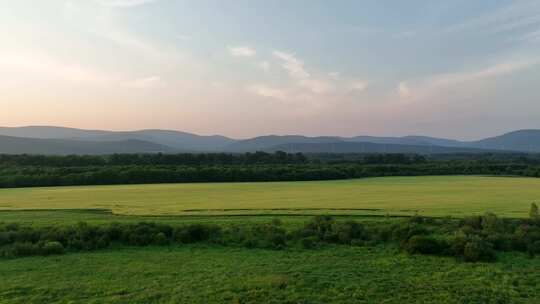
[36, 170]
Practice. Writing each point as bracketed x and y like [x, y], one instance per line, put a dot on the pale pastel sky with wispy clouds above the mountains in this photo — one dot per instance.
[460, 69]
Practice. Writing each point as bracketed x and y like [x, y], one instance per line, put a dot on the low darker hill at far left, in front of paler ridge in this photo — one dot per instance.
[19, 145]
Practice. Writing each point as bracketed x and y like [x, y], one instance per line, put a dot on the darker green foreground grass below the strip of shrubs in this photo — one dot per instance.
[209, 274]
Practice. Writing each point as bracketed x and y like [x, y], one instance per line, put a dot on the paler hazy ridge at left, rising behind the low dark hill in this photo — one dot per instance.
[178, 140]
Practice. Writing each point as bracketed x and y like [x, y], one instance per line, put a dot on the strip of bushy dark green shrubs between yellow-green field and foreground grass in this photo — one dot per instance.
[470, 239]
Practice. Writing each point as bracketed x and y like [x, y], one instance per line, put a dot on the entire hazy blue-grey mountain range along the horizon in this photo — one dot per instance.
[60, 140]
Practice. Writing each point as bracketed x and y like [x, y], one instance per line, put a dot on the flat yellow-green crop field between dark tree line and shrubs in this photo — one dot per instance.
[430, 196]
